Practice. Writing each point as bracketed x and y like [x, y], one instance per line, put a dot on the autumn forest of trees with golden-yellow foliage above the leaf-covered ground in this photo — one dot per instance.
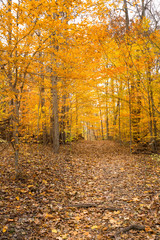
[73, 69]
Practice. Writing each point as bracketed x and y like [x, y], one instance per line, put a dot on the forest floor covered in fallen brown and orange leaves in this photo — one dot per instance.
[90, 190]
